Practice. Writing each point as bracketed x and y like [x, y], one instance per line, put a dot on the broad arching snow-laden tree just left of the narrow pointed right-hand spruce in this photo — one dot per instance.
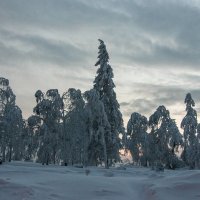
[165, 138]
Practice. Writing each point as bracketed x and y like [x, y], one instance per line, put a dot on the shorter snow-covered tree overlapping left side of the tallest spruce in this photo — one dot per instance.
[98, 130]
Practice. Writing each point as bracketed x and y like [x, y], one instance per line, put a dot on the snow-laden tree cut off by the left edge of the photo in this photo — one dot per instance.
[11, 123]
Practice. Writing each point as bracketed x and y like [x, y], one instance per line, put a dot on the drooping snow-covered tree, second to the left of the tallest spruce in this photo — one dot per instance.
[73, 127]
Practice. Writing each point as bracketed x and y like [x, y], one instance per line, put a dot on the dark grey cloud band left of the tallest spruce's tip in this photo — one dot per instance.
[24, 48]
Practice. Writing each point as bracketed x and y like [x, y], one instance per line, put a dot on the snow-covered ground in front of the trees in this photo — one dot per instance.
[24, 181]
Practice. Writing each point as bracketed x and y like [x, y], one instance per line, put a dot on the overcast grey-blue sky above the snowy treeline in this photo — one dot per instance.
[154, 48]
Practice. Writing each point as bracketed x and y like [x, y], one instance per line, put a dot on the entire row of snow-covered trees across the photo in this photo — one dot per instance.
[88, 129]
